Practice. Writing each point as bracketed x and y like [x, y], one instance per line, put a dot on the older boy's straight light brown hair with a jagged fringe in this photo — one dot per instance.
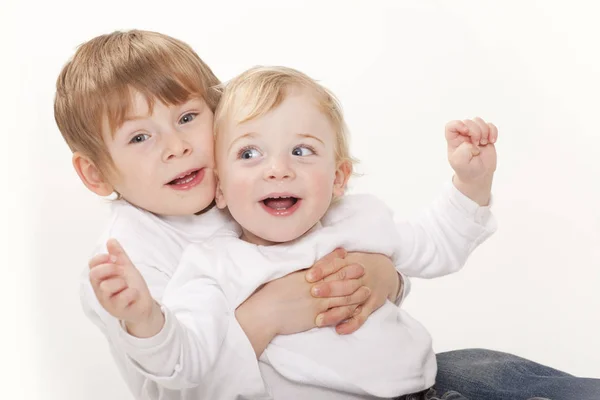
[97, 84]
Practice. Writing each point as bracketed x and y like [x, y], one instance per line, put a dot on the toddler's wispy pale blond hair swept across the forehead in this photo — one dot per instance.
[260, 89]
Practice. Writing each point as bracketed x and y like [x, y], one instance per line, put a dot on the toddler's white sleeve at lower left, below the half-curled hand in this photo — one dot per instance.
[200, 332]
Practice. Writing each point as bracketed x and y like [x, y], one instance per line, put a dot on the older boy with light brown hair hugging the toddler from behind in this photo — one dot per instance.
[136, 109]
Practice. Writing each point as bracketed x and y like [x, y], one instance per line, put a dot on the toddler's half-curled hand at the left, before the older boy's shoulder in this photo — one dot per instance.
[123, 292]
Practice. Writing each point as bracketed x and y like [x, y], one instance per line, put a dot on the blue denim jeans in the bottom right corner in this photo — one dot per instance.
[479, 374]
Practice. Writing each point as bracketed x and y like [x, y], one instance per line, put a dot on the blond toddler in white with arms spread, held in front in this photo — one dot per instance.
[282, 157]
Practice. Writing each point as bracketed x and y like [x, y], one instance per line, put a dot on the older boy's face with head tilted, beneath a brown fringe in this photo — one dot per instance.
[164, 157]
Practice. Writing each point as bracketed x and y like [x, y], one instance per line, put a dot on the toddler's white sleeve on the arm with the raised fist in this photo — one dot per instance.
[435, 243]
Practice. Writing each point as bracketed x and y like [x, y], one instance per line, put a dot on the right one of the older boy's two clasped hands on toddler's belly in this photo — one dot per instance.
[380, 277]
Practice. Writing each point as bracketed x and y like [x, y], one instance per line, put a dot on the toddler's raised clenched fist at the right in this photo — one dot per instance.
[472, 156]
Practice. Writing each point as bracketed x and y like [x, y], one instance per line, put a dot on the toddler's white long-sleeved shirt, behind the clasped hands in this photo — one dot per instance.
[203, 350]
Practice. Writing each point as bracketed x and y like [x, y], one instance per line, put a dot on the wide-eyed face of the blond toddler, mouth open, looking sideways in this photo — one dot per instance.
[277, 172]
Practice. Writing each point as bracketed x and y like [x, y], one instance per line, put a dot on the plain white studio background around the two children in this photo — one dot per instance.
[401, 70]
